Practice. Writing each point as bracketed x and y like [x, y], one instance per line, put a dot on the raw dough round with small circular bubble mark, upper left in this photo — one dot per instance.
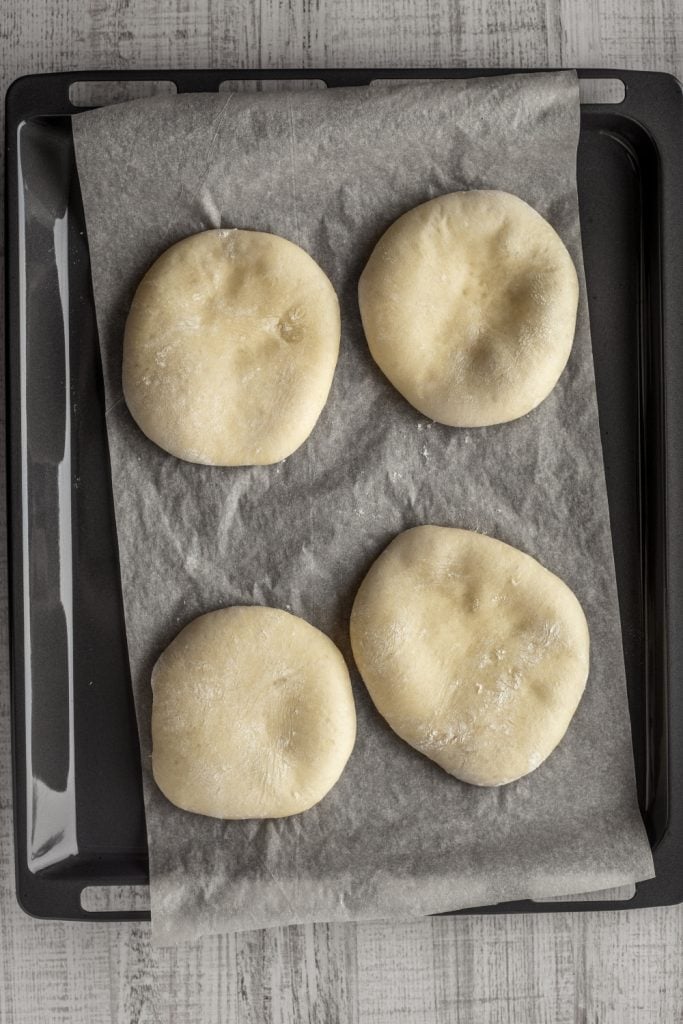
[231, 348]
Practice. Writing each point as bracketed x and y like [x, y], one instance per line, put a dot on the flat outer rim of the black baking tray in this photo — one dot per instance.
[48, 95]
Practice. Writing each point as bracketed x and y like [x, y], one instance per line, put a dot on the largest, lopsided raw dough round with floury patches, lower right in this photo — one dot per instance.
[474, 653]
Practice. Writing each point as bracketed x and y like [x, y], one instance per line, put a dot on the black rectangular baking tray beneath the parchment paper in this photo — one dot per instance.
[78, 804]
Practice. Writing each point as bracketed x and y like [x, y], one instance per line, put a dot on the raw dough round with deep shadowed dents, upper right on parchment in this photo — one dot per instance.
[469, 307]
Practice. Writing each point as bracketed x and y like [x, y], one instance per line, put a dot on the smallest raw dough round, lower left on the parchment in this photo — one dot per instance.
[253, 715]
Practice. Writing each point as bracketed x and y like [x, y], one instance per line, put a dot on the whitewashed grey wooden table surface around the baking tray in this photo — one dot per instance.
[624, 967]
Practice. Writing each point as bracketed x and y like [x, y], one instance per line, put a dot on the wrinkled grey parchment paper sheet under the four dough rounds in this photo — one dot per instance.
[330, 170]
